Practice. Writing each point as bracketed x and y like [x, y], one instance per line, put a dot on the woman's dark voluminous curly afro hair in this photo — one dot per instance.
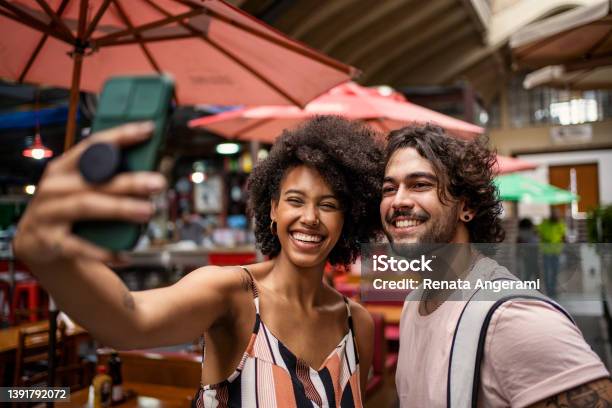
[345, 153]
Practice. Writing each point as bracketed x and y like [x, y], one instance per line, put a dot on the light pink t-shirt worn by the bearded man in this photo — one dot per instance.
[532, 352]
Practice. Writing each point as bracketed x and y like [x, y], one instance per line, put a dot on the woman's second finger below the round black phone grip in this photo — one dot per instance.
[92, 206]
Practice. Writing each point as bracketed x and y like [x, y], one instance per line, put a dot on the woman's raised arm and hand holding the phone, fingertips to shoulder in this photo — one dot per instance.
[74, 271]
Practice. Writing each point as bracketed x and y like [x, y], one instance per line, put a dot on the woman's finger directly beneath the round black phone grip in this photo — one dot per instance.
[135, 184]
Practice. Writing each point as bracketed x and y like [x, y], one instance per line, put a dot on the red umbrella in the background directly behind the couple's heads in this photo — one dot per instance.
[350, 100]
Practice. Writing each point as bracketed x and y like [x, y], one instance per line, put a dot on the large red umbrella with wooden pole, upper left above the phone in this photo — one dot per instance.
[216, 53]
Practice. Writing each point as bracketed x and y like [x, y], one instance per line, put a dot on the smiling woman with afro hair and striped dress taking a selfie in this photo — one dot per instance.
[275, 334]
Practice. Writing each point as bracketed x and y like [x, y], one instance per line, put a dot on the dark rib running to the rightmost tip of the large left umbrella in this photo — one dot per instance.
[291, 44]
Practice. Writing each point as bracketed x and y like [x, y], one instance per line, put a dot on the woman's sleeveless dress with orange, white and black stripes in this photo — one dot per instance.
[270, 375]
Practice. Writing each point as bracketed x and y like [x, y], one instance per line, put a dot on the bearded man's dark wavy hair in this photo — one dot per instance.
[465, 170]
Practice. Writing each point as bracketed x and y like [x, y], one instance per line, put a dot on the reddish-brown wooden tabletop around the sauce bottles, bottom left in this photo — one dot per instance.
[147, 395]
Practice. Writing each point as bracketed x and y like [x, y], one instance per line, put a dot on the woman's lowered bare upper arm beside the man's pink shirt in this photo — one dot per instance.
[364, 334]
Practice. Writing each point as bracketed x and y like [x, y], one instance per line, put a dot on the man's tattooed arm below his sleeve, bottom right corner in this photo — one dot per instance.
[596, 394]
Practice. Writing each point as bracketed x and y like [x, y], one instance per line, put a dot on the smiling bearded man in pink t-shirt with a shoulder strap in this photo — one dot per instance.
[439, 189]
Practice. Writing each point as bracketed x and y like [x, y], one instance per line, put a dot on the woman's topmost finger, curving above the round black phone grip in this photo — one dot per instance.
[124, 135]
